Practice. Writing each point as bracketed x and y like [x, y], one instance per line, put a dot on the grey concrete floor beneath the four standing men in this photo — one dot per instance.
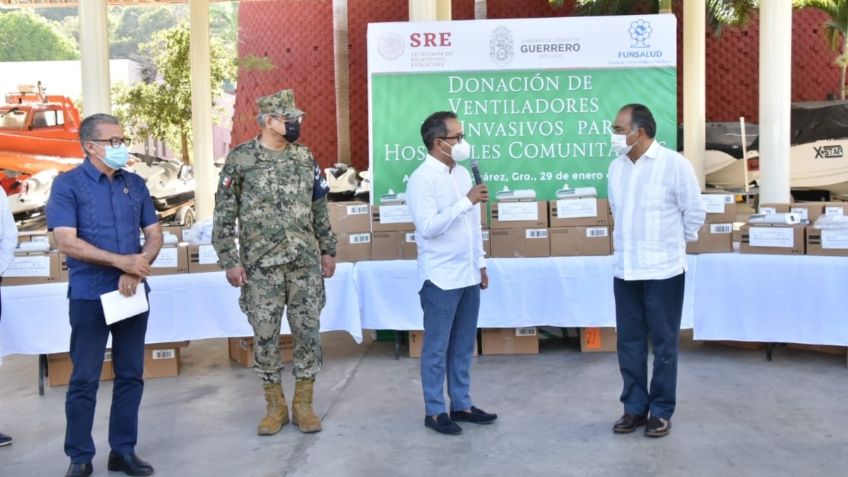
[738, 415]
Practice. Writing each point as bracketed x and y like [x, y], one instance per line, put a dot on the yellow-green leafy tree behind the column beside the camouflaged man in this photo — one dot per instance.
[162, 109]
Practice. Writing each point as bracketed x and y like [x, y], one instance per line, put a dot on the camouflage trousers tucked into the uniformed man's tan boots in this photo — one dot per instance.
[298, 291]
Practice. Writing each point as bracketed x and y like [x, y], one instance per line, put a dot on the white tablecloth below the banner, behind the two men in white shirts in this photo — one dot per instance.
[555, 291]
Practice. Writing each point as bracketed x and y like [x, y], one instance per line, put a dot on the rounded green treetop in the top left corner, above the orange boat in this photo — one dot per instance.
[25, 36]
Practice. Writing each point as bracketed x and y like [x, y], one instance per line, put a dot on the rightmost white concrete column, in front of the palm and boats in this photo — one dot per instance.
[775, 99]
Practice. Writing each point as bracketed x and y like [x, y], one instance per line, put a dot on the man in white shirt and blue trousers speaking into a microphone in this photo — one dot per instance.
[445, 207]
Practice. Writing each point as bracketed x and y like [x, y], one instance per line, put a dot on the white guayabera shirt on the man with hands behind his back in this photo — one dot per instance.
[657, 206]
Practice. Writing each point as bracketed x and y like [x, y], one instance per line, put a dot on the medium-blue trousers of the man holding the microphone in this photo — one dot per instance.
[450, 327]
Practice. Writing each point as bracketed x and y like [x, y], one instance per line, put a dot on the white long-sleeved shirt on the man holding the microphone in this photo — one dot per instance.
[447, 226]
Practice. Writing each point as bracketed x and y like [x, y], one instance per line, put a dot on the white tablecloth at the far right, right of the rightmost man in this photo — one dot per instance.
[772, 298]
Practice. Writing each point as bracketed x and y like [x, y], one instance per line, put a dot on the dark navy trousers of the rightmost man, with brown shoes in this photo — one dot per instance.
[648, 308]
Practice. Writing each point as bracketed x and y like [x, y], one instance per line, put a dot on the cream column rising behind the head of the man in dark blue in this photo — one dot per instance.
[94, 51]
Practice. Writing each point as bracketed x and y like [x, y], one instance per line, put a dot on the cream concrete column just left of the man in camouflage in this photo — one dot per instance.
[201, 109]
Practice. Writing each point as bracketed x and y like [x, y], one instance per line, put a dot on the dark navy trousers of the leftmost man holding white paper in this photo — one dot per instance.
[89, 333]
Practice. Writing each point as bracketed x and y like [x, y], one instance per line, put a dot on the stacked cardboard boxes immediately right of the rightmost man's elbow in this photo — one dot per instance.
[716, 235]
